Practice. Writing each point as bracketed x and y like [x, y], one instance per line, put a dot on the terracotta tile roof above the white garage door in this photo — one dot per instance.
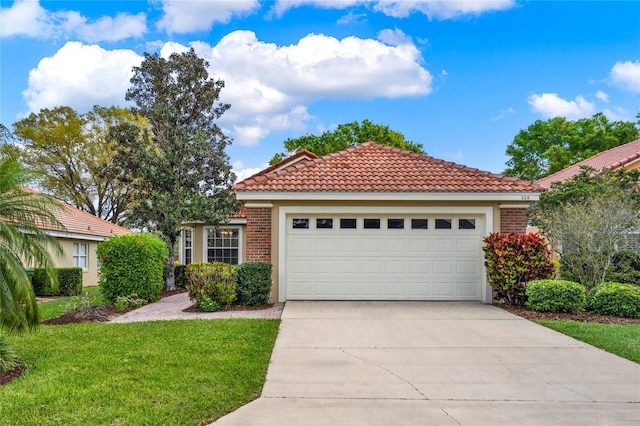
[371, 167]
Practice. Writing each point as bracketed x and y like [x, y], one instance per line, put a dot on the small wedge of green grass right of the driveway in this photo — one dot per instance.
[622, 340]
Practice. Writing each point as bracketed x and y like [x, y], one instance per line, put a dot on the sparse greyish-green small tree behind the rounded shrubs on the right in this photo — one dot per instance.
[588, 219]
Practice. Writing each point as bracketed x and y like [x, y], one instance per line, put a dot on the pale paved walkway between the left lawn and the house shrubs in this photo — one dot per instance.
[171, 308]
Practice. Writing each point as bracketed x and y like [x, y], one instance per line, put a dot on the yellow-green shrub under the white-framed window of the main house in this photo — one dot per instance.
[215, 280]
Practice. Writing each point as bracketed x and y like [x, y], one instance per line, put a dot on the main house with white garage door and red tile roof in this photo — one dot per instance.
[371, 222]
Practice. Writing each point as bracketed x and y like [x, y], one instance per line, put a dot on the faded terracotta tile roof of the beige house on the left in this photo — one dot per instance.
[77, 221]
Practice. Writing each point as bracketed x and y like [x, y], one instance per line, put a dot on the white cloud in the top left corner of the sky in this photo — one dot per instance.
[28, 18]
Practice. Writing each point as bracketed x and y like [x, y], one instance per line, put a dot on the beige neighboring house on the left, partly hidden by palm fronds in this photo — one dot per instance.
[80, 240]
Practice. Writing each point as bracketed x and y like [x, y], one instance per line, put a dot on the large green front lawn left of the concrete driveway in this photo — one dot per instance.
[153, 373]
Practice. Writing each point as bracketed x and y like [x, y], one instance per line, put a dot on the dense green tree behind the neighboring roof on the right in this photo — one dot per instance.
[546, 147]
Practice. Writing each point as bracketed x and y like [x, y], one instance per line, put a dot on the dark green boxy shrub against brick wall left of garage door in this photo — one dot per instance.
[253, 283]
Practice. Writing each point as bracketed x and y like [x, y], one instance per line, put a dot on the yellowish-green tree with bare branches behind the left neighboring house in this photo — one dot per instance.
[75, 155]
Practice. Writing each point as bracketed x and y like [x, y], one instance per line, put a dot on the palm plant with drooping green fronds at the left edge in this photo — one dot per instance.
[22, 242]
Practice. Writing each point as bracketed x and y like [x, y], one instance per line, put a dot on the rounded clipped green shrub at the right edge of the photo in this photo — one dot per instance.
[622, 300]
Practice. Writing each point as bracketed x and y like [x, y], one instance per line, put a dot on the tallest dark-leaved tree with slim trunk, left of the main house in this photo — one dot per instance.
[179, 169]
